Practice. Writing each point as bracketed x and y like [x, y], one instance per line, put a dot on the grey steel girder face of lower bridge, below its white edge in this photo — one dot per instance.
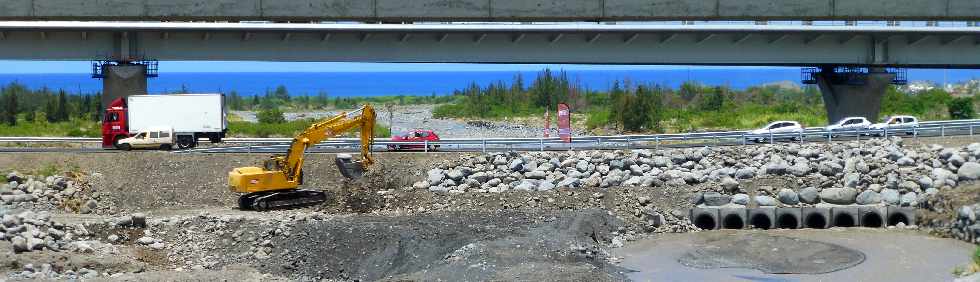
[695, 48]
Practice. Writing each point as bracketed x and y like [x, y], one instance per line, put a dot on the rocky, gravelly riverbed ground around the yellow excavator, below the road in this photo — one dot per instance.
[449, 216]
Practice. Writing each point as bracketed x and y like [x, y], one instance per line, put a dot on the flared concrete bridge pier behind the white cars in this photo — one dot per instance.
[853, 94]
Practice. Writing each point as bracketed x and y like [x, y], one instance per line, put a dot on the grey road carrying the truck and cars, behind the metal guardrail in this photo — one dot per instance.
[553, 144]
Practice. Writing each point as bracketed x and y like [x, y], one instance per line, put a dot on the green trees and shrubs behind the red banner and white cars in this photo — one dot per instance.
[640, 107]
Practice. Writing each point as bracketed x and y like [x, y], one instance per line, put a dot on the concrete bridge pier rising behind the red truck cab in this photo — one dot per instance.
[121, 80]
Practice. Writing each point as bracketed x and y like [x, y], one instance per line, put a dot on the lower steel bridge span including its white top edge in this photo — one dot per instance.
[769, 45]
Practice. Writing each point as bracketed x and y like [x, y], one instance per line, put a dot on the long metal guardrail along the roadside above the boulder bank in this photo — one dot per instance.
[814, 134]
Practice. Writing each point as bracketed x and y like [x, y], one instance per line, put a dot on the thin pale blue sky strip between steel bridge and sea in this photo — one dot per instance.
[18, 67]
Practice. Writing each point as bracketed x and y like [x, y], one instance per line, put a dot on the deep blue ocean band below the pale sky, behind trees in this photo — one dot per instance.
[350, 84]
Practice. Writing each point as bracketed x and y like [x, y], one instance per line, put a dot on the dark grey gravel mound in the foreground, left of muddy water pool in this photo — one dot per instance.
[504, 245]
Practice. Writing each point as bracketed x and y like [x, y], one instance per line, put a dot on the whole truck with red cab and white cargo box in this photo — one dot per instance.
[190, 116]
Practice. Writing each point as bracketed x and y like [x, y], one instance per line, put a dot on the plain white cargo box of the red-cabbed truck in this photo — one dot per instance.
[185, 113]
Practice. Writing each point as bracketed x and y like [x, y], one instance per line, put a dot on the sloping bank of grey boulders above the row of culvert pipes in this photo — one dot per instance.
[879, 171]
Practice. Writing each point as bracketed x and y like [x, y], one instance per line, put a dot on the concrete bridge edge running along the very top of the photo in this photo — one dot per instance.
[487, 10]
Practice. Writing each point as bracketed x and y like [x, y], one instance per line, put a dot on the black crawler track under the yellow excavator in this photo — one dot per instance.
[262, 201]
